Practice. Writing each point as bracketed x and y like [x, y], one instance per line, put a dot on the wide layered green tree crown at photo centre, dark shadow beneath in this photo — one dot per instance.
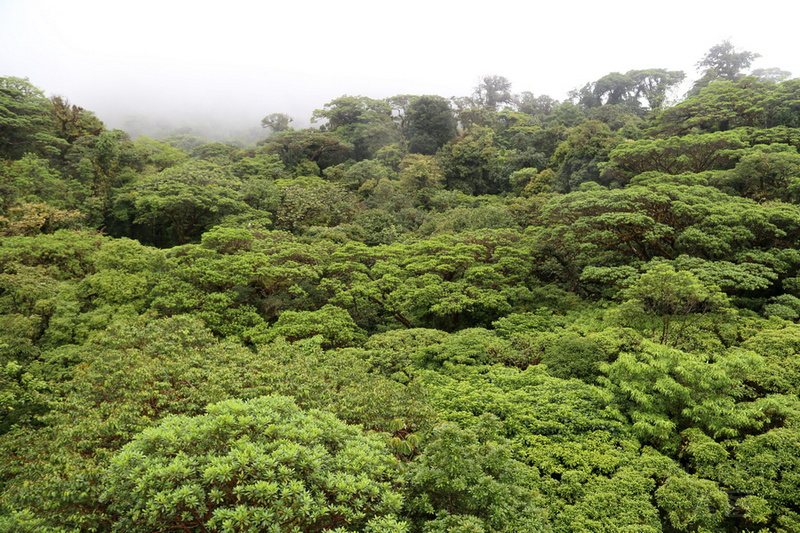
[448, 282]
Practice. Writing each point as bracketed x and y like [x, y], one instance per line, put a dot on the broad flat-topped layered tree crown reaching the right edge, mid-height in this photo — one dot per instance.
[618, 228]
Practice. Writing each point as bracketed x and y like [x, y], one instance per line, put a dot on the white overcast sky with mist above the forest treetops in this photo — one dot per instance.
[246, 59]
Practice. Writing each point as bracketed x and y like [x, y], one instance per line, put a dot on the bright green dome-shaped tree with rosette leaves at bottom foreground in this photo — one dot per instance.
[247, 465]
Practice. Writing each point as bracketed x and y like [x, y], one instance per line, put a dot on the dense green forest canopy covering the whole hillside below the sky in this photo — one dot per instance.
[494, 313]
